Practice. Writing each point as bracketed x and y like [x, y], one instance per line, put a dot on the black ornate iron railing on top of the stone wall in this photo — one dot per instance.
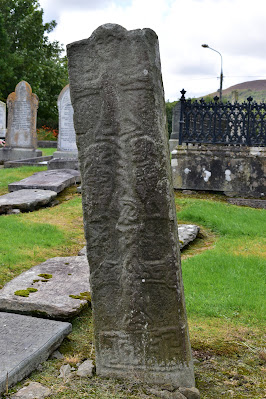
[222, 123]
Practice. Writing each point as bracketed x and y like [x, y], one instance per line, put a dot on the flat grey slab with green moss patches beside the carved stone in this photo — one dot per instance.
[70, 276]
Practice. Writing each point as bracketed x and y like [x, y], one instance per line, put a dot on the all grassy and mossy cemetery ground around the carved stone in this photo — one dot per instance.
[224, 279]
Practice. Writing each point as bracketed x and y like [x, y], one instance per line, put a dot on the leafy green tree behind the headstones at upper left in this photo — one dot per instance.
[27, 54]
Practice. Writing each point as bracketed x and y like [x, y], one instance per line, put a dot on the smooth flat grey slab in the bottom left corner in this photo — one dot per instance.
[25, 342]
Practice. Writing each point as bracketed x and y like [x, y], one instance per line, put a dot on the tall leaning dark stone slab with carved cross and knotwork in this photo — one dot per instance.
[130, 223]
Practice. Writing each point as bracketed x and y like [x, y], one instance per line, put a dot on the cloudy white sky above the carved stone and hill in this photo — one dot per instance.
[235, 28]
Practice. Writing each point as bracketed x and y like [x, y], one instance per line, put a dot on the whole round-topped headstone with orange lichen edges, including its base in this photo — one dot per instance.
[21, 137]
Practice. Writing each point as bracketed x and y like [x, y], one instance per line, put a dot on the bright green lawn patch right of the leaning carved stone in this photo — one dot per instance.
[226, 281]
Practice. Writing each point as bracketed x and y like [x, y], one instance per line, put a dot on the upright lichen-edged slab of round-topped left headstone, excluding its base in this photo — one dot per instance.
[22, 107]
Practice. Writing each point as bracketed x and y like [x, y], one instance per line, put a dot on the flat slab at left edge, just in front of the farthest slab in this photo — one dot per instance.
[26, 200]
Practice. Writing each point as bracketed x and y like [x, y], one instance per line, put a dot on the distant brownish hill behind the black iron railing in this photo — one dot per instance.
[255, 88]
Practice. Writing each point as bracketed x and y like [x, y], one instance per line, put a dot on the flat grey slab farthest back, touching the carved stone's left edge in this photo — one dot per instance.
[55, 180]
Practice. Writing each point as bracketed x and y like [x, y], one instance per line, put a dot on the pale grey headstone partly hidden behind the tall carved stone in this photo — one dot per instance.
[66, 142]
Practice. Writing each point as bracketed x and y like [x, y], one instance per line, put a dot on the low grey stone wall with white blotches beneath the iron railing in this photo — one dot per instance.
[233, 170]
